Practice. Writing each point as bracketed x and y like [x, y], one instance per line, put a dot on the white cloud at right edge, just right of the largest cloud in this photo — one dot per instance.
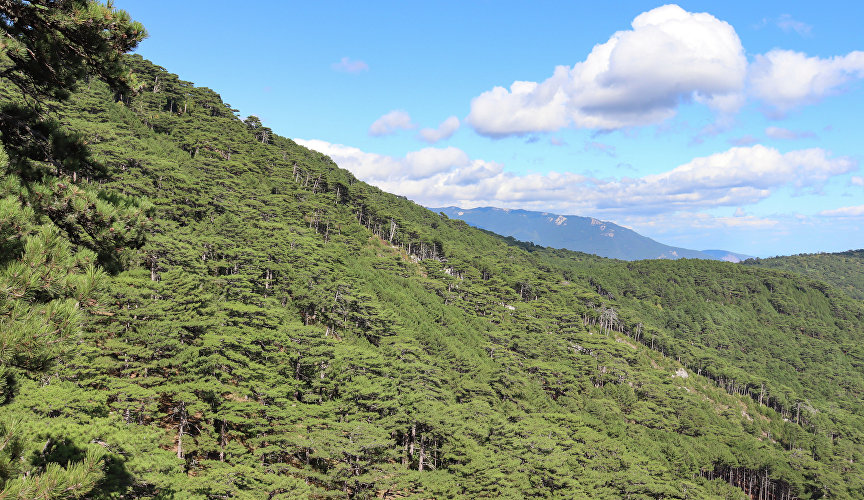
[786, 79]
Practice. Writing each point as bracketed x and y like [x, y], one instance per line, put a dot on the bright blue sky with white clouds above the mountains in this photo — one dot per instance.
[699, 124]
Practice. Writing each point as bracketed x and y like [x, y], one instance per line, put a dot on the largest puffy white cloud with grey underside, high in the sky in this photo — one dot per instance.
[637, 77]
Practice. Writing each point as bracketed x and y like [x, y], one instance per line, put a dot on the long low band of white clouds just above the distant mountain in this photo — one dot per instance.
[736, 177]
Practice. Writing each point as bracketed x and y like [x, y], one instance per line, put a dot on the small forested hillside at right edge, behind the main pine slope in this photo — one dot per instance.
[844, 270]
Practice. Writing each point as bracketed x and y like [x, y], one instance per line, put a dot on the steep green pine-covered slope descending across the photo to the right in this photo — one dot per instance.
[288, 331]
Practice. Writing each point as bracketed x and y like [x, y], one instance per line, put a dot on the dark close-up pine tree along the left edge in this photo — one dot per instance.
[57, 232]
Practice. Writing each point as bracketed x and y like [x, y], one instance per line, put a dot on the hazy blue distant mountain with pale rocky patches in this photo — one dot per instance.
[573, 232]
